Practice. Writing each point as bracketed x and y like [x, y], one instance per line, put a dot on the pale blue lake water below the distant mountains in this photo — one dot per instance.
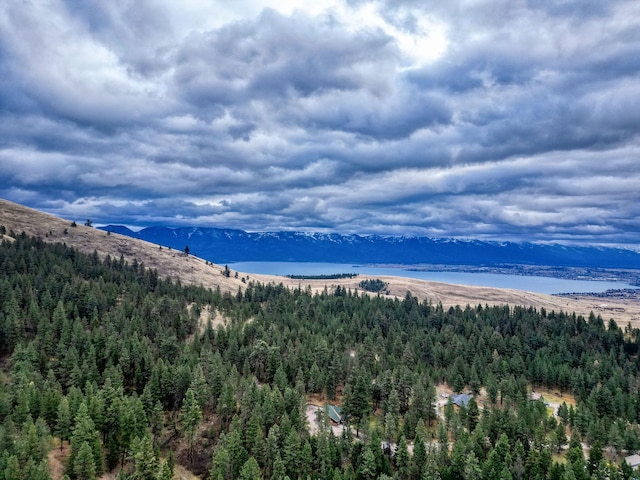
[519, 282]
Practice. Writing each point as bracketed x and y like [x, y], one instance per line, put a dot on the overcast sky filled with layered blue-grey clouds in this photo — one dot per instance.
[496, 120]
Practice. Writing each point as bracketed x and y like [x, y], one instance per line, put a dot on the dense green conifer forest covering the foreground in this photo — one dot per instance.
[128, 372]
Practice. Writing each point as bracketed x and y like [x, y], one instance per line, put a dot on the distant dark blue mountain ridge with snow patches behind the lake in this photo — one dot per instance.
[226, 246]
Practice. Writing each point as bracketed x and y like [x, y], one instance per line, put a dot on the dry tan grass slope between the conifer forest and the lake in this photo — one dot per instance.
[193, 270]
